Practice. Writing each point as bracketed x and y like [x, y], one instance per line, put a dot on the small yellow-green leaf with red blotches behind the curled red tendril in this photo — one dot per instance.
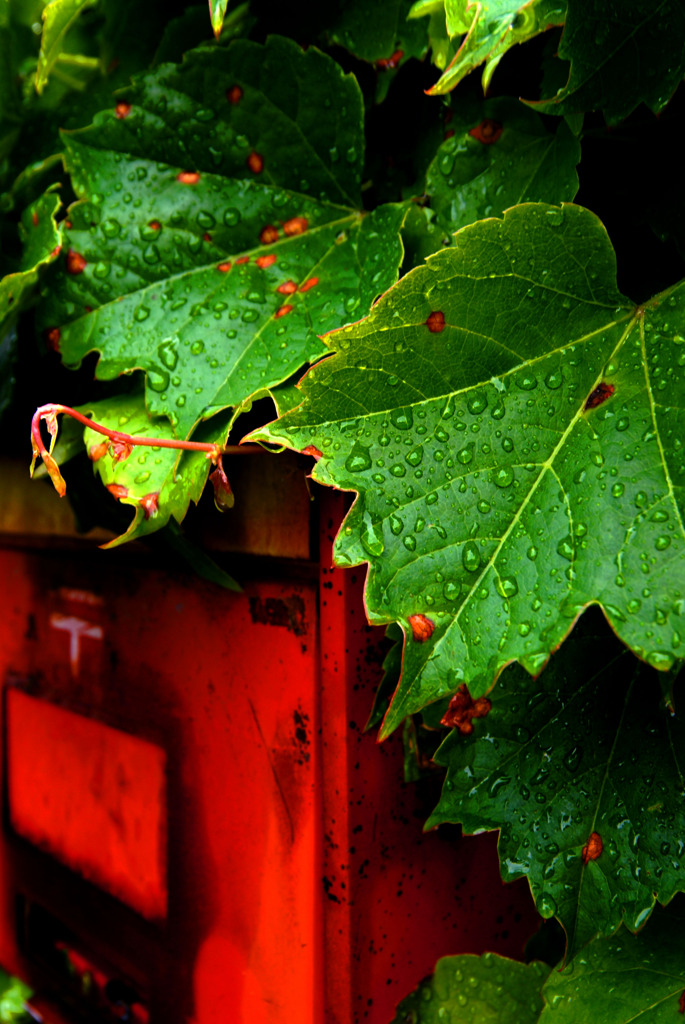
[159, 484]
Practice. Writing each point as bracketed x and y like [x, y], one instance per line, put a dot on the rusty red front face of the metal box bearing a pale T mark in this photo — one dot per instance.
[227, 685]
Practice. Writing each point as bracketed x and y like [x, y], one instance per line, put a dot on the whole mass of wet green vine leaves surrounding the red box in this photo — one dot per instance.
[361, 191]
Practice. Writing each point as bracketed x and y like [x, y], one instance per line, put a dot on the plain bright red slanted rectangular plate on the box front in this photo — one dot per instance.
[92, 796]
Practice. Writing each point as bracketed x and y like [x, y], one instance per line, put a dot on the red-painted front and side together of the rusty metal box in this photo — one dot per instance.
[301, 884]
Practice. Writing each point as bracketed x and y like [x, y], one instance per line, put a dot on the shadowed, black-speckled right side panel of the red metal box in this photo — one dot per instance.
[398, 900]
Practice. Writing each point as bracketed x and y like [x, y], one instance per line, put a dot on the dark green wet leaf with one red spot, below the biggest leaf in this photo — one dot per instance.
[587, 750]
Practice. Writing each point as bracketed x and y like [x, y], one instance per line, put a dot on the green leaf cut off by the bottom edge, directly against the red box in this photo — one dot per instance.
[467, 990]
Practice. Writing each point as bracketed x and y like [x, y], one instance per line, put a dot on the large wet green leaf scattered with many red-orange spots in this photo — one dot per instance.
[222, 232]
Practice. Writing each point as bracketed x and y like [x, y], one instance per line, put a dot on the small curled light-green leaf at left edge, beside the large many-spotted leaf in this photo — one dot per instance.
[42, 240]
